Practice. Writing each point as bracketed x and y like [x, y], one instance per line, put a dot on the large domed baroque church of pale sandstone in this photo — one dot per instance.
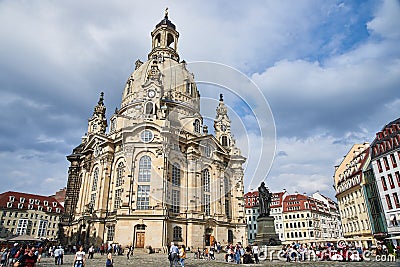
[156, 175]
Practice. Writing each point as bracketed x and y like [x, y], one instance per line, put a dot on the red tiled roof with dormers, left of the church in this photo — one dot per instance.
[31, 202]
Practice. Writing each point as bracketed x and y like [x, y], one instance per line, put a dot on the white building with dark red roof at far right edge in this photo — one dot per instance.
[385, 160]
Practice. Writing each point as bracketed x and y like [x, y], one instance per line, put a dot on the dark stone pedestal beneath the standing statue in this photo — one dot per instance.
[266, 234]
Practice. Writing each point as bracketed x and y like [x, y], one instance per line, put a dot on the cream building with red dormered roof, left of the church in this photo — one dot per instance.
[27, 214]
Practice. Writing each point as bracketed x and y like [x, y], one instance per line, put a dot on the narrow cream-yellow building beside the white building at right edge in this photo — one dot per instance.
[349, 182]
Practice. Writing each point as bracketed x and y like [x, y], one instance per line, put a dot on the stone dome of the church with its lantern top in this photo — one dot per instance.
[162, 80]
